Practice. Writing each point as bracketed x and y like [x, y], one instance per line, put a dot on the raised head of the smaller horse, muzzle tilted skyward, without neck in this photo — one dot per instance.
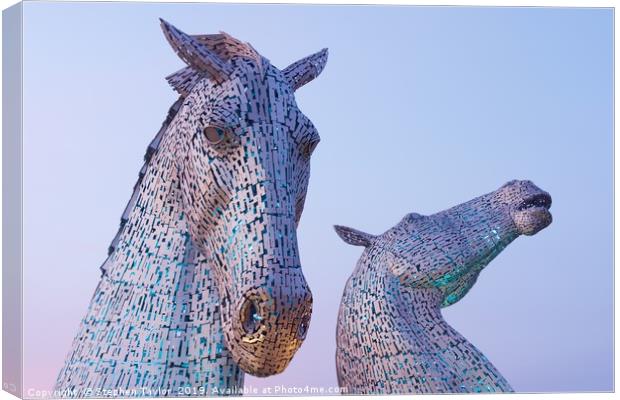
[447, 250]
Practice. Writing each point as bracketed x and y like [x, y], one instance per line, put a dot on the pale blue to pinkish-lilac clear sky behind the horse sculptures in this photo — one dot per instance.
[418, 108]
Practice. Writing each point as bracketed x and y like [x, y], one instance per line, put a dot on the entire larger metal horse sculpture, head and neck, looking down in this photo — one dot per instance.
[203, 279]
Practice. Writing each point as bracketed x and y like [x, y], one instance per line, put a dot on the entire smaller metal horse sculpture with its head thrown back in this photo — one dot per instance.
[403, 278]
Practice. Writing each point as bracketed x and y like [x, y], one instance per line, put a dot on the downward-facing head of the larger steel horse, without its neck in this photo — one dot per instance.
[243, 158]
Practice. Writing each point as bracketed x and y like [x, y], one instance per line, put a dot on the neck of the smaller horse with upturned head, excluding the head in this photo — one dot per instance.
[402, 331]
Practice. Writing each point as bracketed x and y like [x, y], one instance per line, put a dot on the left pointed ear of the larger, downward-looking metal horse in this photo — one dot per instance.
[195, 54]
